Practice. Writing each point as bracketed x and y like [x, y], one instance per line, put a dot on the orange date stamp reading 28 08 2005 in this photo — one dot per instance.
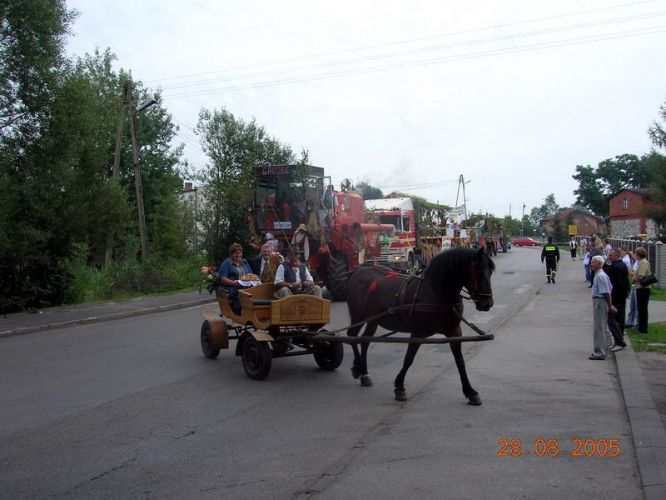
[551, 447]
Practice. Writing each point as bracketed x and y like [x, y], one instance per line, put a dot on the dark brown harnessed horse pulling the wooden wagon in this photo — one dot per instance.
[425, 305]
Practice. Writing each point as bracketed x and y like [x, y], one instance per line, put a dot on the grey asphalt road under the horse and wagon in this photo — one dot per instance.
[131, 409]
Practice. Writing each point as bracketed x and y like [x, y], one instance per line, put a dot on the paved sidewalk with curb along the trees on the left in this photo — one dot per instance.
[59, 317]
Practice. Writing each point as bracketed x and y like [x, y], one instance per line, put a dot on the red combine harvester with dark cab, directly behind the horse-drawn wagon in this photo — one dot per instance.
[297, 207]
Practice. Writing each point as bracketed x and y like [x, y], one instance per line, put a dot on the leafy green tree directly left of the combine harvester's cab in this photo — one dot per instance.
[235, 148]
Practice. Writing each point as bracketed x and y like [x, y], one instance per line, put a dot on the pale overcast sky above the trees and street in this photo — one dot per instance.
[404, 95]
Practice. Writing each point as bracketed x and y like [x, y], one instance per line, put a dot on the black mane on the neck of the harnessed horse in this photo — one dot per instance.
[448, 269]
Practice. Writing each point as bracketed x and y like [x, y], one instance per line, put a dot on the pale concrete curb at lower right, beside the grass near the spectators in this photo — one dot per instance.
[646, 427]
